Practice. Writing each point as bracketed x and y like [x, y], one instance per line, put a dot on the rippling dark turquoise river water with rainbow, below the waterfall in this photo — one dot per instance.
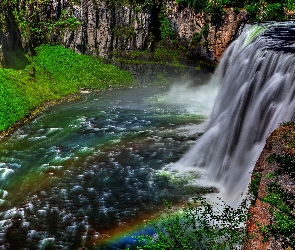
[86, 172]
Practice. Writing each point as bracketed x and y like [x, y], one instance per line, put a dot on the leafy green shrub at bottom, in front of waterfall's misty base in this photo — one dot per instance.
[200, 225]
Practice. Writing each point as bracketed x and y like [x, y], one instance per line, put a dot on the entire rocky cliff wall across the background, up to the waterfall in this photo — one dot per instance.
[105, 29]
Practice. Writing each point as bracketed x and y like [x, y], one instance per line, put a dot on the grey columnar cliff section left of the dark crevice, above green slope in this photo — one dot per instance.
[106, 28]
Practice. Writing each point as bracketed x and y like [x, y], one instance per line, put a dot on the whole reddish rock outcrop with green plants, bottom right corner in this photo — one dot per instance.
[271, 221]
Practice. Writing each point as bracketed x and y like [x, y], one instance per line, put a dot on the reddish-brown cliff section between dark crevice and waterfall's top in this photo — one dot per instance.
[186, 23]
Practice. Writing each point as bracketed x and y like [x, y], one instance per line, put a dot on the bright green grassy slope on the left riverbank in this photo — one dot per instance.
[53, 73]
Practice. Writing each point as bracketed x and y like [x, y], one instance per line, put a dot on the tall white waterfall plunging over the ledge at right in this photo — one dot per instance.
[257, 78]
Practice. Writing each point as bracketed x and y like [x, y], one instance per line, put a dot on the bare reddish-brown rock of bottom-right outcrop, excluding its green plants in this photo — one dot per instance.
[278, 143]
